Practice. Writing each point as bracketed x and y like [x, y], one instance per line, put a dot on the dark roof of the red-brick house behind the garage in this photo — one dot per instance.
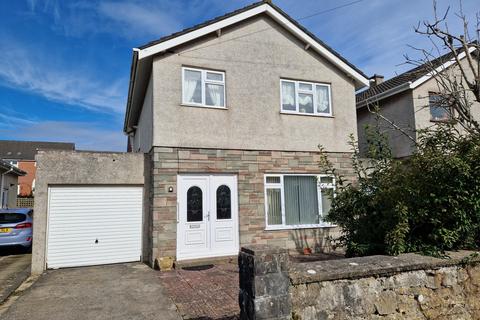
[26, 150]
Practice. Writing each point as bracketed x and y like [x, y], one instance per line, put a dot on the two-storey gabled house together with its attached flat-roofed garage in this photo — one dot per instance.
[224, 120]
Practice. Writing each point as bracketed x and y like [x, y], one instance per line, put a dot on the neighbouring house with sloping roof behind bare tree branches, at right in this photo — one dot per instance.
[411, 101]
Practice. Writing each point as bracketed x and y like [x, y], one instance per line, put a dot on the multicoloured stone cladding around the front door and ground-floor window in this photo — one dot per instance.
[250, 167]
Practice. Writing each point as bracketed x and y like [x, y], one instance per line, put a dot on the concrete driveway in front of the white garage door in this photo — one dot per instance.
[123, 291]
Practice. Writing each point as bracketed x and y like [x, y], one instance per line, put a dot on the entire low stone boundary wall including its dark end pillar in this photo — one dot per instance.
[409, 286]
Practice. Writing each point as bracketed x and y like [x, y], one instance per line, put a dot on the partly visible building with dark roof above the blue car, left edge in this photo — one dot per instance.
[9, 175]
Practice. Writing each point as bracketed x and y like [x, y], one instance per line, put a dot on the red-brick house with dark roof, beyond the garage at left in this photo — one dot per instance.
[22, 155]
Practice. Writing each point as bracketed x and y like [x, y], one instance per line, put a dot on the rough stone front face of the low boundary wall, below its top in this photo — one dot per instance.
[446, 293]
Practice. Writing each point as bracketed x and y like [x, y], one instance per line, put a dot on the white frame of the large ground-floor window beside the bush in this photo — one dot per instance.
[280, 186]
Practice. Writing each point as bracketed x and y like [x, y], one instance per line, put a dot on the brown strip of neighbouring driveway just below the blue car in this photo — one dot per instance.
[14, 270]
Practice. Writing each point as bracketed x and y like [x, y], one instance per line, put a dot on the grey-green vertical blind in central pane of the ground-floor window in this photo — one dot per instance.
[301, 200]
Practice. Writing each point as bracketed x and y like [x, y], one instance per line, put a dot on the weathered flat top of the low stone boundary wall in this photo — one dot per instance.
[373, 266]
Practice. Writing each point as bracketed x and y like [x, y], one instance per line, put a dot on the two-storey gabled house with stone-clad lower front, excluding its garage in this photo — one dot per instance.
[230, 114]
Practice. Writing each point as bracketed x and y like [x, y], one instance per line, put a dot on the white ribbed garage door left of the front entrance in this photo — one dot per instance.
[94, 225]
